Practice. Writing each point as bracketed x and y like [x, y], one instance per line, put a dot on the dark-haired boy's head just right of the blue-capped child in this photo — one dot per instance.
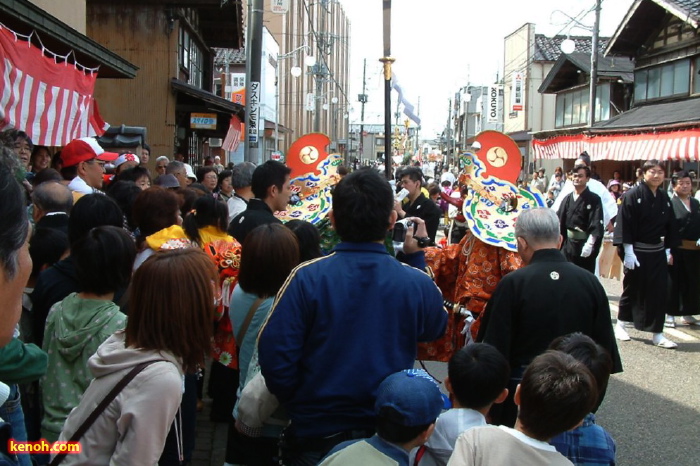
[477, 376]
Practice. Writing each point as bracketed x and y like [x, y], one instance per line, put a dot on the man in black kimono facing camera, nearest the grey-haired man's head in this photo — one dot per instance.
[581, 219]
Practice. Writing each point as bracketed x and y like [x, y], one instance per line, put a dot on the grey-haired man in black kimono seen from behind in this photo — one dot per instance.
[548, 298]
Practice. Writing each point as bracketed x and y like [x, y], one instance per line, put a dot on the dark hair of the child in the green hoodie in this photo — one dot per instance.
[103, 259]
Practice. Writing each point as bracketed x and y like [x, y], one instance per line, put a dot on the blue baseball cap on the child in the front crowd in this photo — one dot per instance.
[413, 394]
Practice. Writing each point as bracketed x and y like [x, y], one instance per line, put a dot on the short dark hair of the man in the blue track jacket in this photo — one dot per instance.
[362, 205]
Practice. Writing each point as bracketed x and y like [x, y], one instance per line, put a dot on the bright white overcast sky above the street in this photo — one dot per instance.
[442, 45]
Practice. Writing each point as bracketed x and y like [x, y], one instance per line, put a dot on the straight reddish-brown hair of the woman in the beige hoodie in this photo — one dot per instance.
[176, 319]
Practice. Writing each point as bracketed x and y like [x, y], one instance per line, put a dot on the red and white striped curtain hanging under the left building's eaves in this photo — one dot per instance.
[49, 99]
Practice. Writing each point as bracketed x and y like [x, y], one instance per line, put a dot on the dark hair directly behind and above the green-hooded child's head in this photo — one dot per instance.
[92, 210]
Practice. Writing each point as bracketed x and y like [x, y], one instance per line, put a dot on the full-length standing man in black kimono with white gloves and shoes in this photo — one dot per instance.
[645, 232]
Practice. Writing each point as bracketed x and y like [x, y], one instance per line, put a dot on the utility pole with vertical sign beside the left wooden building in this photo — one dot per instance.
[252, 85]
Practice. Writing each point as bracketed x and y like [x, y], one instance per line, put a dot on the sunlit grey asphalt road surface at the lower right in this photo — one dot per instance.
[652, 409]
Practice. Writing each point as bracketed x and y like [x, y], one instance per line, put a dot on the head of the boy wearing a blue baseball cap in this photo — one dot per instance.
[407, 405]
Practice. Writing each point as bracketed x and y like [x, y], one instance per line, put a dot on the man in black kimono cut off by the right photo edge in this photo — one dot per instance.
[684, 292]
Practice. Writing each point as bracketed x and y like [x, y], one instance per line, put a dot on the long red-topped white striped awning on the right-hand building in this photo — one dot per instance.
[682, 145]
